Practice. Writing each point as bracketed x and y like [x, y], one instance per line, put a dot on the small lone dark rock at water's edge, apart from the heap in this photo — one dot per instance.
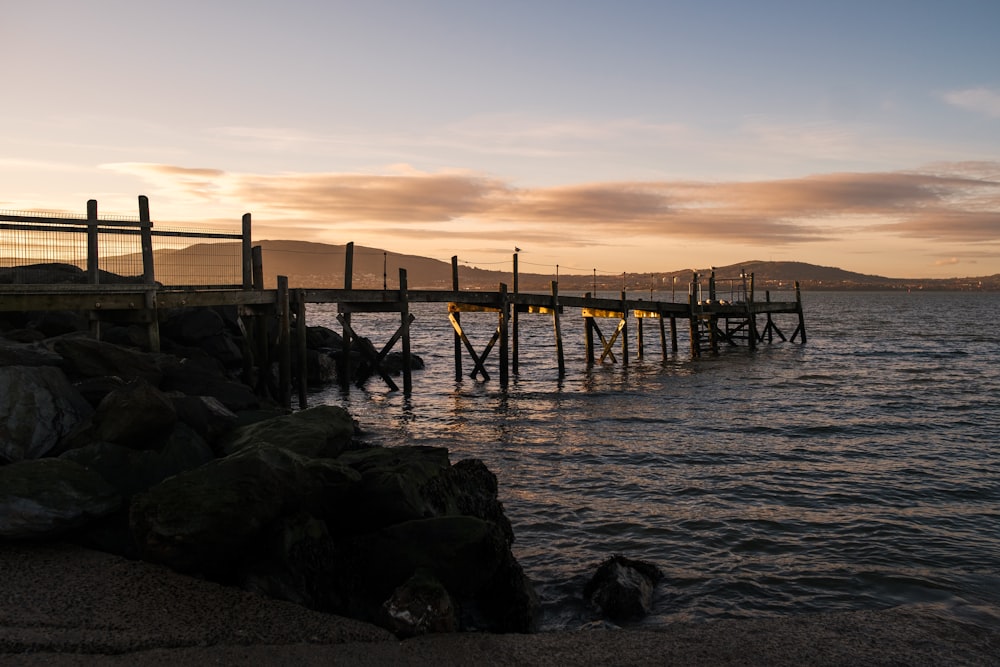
[622, 588]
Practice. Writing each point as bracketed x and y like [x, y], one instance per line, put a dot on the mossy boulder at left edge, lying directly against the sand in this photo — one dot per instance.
[49, 497]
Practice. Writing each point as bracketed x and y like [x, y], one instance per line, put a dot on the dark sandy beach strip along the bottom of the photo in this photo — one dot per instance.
[65, 605]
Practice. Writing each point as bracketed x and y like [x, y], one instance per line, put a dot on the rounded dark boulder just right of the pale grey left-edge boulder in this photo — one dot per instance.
[136, 415]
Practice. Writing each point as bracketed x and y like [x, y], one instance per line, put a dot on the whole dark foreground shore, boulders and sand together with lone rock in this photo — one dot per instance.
[160, 509]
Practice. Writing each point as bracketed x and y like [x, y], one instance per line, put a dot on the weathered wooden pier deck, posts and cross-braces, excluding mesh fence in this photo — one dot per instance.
[712, 321]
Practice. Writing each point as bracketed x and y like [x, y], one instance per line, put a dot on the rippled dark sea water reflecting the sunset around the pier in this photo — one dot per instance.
[859, 471]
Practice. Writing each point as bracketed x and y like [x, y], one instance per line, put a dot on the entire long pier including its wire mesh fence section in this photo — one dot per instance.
[718, 311]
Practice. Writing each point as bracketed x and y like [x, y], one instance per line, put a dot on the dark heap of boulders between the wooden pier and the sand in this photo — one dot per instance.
[170, 458]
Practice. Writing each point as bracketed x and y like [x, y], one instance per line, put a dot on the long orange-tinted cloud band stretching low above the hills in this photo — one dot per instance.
[945, 202]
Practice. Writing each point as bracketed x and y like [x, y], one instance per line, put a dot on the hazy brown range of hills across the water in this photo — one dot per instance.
[321, 265]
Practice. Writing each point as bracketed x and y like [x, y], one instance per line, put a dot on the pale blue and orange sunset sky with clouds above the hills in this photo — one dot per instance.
[595, 136]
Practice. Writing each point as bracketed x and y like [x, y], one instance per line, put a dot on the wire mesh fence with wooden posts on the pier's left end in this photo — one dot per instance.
[49, 248]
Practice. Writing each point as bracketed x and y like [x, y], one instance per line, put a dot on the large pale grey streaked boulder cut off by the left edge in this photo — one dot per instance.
[39, 407]
